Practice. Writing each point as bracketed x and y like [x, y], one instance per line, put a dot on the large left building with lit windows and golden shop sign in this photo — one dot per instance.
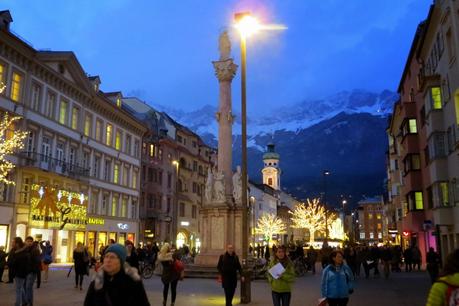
[77, 177]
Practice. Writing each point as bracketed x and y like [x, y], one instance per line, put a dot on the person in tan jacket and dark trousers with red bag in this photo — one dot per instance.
[170, 276]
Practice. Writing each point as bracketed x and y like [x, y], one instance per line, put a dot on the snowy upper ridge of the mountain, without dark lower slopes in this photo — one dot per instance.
[292, 118]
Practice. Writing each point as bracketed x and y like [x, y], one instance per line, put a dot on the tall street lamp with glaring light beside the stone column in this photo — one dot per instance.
[247, 25]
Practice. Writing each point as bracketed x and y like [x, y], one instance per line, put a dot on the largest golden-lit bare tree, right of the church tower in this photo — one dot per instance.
[310, 217]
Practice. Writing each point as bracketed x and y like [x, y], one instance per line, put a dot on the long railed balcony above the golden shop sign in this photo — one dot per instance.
[49, 164]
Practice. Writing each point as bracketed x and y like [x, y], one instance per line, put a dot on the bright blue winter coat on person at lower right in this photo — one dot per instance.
[337, 283]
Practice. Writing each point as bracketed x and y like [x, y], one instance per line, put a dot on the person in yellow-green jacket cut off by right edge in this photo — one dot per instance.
[445, 290]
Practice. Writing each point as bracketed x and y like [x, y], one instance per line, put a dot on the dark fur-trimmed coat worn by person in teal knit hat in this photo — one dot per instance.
[123, 289]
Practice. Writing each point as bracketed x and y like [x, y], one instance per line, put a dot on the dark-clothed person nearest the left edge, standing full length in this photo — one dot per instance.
[20, 262]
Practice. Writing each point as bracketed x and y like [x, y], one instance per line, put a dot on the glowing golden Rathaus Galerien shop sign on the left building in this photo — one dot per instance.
[57, 208]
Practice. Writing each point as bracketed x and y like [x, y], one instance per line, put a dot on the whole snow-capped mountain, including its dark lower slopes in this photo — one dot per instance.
[343, 133]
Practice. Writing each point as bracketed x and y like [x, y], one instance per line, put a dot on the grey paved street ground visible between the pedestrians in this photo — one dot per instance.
[402, 289]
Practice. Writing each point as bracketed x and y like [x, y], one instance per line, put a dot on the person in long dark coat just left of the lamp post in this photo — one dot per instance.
[228, 266]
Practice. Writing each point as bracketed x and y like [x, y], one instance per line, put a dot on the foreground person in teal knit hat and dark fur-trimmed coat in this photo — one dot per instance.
[116, 283]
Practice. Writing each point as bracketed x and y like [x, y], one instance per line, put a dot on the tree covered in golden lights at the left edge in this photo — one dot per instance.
[10, 142]
